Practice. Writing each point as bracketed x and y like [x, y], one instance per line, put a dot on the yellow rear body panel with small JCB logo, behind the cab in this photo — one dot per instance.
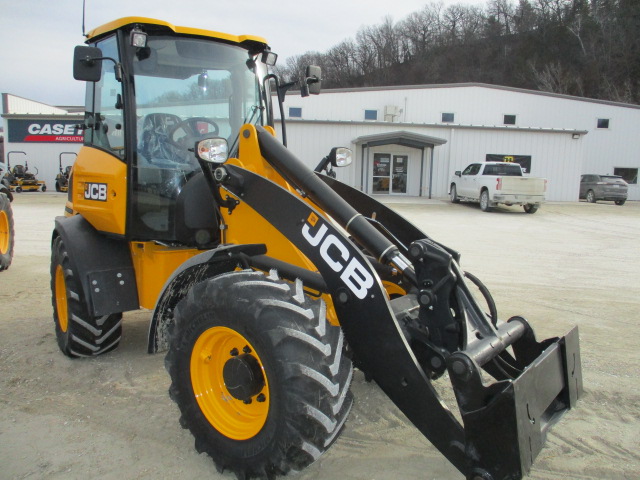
[100, 190]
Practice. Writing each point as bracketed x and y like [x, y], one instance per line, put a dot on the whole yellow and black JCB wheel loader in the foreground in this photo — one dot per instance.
[269, 281]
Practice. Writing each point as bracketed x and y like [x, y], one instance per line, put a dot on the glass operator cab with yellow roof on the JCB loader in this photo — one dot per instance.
[159, 89]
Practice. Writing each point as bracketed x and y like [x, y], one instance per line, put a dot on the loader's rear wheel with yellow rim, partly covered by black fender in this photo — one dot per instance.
[78, 334]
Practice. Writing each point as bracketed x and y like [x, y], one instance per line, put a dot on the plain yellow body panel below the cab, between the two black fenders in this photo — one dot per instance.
[153, 265]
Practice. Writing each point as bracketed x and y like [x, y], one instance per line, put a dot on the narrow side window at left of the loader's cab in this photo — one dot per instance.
[104, 116]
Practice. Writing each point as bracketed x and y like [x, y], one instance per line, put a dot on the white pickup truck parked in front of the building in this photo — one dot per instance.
[491, 183]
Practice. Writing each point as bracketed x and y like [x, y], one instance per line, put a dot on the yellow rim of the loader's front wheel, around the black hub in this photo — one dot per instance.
[231, 417]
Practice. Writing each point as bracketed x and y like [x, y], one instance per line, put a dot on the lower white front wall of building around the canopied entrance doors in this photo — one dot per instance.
[556, 155]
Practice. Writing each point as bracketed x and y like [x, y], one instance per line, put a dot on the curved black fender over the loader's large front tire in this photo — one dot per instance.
[204, 265]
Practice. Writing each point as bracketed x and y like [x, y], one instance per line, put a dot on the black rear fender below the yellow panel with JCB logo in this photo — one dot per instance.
[103, 265]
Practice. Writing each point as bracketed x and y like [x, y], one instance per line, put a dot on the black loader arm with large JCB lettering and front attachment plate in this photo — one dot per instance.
[438, 327]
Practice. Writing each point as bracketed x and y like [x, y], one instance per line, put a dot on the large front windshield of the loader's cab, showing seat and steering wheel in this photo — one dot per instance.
[186, 89]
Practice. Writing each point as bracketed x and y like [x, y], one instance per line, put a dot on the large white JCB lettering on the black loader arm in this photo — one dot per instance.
[336, 255]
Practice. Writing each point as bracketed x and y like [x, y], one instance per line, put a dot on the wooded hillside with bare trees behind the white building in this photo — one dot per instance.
[576, 47]
